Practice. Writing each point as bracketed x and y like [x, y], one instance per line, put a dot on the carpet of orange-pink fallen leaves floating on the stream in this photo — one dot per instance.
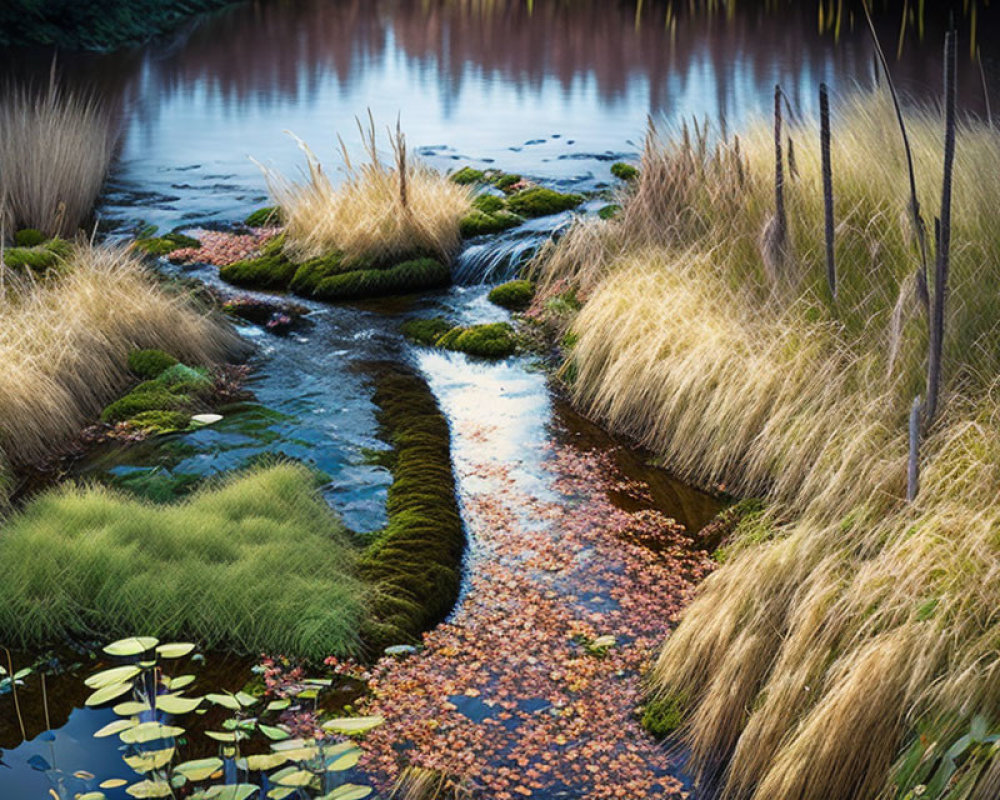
[506, 696]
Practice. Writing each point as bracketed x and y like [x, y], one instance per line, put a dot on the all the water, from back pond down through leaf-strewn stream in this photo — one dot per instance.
[569, 529]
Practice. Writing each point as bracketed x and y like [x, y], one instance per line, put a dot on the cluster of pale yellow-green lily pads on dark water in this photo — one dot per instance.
[149, 704]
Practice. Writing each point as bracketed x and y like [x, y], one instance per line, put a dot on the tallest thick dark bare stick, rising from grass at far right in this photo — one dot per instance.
[941, 265]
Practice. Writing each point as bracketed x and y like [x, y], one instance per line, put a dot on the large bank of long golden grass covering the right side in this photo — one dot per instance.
[810, 660]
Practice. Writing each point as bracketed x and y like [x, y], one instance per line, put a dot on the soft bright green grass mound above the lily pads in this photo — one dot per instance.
[258, 563]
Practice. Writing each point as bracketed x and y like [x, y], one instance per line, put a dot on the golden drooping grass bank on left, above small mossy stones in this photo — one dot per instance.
[65, 344]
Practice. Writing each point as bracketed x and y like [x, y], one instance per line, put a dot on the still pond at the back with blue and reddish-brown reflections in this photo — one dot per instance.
[548, 88]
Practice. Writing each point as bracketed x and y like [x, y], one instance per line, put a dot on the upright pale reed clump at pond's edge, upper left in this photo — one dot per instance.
[56, 147]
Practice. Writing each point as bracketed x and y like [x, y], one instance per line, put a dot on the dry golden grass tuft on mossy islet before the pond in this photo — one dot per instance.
[382, 213]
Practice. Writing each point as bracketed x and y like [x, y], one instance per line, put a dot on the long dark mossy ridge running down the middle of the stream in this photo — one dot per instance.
[415, 563]
